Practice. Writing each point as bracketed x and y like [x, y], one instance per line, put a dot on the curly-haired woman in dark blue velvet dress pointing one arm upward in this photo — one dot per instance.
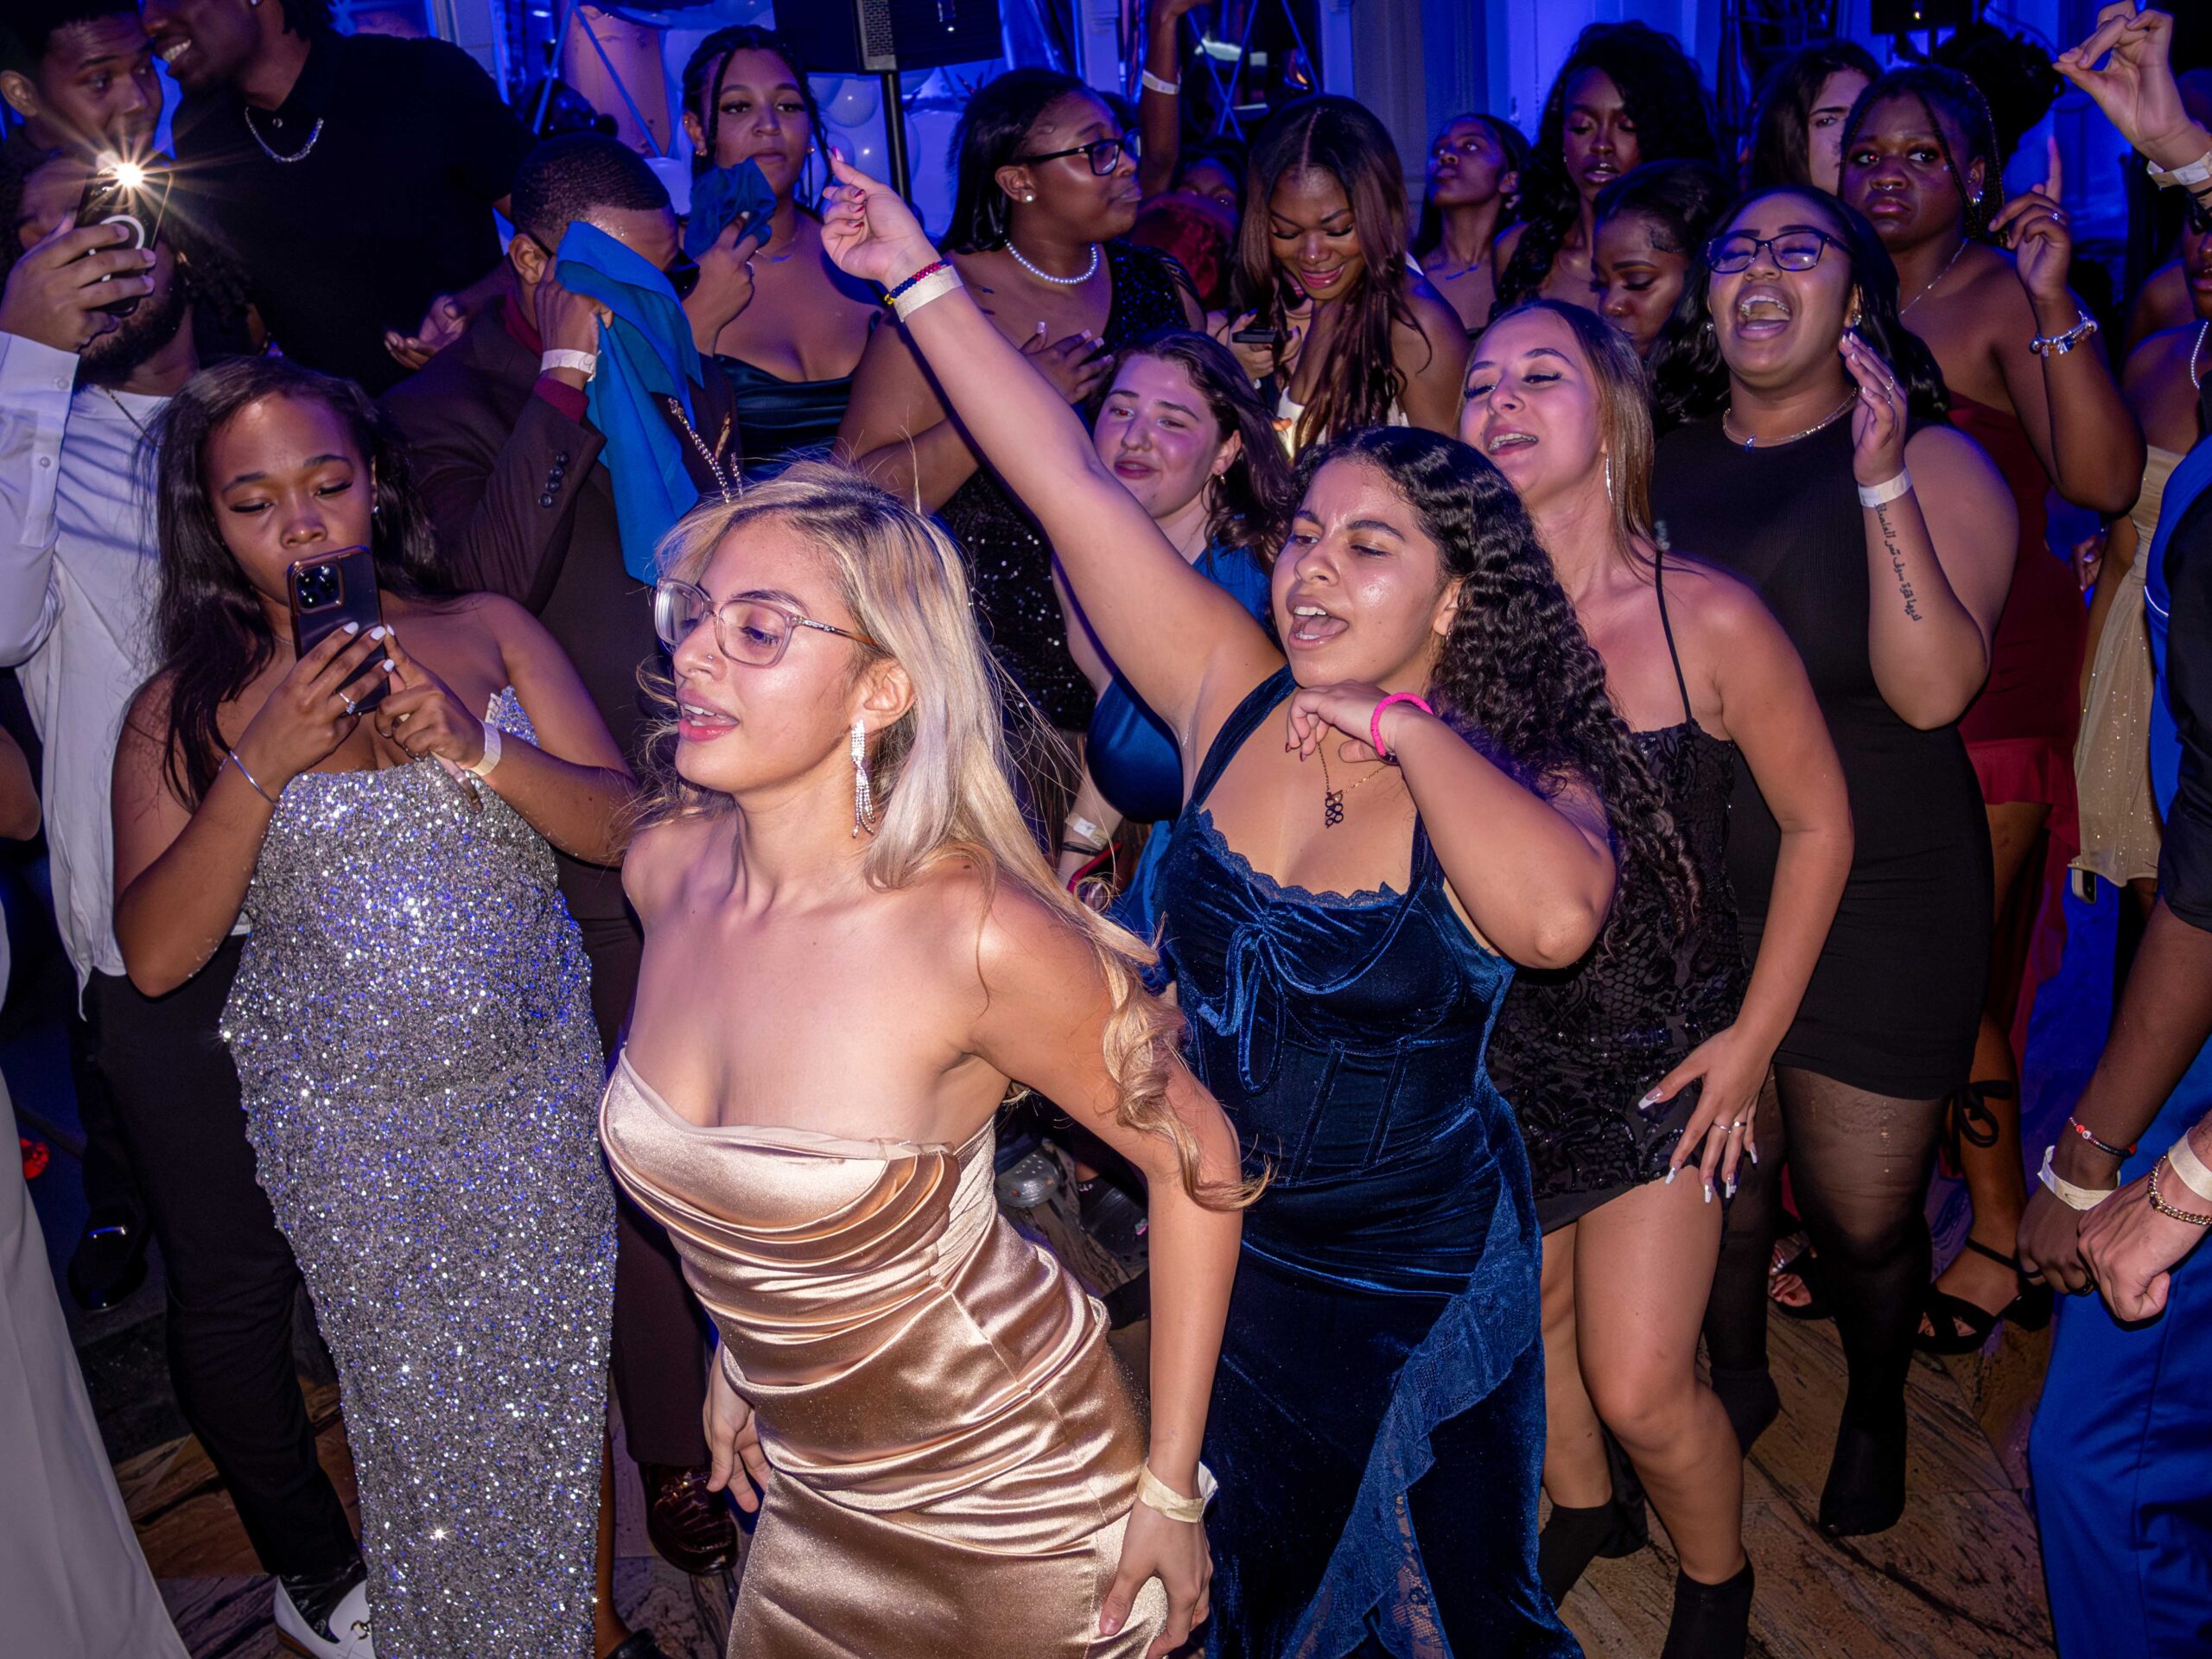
[1344, 901]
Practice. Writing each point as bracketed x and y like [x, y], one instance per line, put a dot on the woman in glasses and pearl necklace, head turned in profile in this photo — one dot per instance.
[1047, 187]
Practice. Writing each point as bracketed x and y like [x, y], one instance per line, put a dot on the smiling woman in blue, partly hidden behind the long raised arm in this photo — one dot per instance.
[1189, 437]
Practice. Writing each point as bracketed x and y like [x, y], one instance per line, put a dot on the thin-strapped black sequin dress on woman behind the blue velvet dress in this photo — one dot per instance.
[1578, 1050]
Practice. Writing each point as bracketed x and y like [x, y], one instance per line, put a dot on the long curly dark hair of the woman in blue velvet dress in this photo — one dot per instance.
[1516, 676]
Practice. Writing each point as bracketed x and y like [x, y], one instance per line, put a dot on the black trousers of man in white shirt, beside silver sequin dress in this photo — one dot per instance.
[231, 1273]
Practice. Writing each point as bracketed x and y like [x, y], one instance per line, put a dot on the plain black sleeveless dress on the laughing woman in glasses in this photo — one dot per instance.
[1897, 997]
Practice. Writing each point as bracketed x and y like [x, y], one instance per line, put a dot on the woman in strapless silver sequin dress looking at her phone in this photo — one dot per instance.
[410, 1019]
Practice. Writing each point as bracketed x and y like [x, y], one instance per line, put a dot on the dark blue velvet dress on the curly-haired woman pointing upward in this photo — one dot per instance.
[1379, 1410]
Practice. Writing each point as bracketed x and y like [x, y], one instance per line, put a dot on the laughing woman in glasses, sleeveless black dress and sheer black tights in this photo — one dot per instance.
[1817, 466]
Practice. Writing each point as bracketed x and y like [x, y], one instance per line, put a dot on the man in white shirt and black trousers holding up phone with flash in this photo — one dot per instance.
[81, 390]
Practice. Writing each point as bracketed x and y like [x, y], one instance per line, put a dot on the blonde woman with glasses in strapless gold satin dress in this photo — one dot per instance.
[853, 954]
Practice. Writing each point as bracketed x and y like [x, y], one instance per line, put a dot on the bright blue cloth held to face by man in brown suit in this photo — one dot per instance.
[645, 355]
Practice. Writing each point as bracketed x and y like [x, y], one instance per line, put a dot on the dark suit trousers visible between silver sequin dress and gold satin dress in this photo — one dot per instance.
[660, 1333]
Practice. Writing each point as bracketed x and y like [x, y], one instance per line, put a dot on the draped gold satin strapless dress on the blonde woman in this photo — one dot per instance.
[954, 1446]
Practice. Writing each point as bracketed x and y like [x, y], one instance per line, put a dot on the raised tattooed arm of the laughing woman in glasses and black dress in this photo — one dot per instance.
[1939, 556]
